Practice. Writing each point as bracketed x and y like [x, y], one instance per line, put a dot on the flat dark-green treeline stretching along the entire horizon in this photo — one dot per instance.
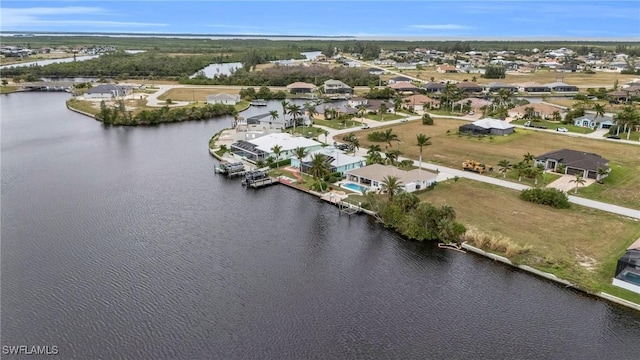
[240, 46]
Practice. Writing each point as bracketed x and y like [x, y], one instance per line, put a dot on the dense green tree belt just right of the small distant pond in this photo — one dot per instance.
[283, 76]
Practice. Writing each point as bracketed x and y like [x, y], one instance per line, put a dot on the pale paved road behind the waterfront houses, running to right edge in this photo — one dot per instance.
[445, 173]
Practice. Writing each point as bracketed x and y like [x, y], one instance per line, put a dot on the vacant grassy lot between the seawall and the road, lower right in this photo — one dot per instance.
[578, 244]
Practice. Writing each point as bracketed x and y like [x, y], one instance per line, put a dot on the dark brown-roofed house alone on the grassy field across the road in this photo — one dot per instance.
[575, 163]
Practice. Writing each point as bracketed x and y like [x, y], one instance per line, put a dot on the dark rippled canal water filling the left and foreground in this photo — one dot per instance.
[122, 243]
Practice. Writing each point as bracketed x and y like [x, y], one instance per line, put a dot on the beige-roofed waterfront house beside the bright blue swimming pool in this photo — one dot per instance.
[373, 176]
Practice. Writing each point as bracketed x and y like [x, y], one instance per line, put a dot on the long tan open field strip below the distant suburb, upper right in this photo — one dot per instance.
[598, 79]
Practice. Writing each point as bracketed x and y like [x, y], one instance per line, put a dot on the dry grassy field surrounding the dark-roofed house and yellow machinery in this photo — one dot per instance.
[451, 150]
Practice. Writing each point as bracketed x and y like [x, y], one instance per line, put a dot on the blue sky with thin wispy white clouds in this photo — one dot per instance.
[486, 19]
